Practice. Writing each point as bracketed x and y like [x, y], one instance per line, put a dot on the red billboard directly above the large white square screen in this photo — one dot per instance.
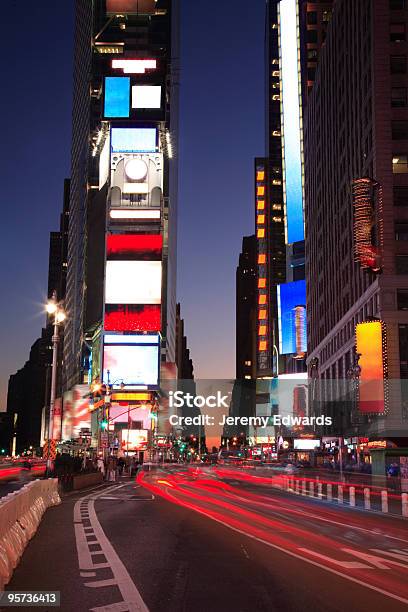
[134, 247]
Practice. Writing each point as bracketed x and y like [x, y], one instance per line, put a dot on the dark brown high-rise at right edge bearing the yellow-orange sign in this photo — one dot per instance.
[356, 142]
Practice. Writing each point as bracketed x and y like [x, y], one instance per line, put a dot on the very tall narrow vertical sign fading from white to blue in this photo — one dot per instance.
[291, 119]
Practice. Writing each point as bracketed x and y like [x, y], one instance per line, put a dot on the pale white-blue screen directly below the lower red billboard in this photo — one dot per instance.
[131, 364]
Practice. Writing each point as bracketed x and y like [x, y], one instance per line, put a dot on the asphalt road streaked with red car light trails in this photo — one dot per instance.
[184, 540]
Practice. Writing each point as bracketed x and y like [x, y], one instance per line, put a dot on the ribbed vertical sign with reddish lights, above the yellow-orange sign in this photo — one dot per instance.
[367, 204]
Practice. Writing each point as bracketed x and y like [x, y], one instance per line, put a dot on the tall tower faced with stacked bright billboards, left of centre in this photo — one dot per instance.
[122, 232]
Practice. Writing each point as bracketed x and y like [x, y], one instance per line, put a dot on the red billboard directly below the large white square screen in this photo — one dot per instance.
[132, 318]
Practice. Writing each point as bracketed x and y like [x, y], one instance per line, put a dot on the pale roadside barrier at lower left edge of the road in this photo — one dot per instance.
[20, 516]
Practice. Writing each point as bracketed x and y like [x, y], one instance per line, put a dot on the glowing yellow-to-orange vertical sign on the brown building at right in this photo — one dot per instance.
[371, 346]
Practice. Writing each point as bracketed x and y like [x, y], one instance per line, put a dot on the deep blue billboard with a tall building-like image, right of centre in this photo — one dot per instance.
[292, 318]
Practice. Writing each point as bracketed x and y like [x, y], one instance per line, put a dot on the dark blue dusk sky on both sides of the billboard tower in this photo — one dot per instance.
[222, 130]
